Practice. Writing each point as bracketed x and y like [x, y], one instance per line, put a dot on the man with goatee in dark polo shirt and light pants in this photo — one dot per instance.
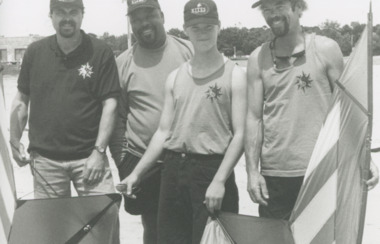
[71, 82]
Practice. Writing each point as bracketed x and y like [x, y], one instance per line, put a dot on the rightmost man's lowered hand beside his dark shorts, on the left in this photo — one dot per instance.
[257, 188]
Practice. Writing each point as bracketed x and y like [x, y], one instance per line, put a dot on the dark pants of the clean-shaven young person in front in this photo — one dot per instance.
[182, 215]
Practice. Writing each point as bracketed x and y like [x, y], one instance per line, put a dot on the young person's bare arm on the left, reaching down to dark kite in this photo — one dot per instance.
[155, 147]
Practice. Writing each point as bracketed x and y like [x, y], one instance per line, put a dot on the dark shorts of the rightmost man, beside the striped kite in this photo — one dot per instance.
[283, 193]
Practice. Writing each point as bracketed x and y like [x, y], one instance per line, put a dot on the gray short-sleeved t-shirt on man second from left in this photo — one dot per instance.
[143, 75]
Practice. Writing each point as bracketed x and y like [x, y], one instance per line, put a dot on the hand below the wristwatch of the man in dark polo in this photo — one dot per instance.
[94, 168]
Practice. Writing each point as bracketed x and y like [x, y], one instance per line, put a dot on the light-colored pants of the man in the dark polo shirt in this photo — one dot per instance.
[59, 174]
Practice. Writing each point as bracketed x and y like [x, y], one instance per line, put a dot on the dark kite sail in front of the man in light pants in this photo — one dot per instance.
[85, 220]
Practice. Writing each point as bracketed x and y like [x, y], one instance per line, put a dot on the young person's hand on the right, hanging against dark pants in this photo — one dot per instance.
[214, 196]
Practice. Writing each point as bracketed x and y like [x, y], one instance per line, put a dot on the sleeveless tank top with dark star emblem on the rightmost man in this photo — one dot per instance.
[296, 100]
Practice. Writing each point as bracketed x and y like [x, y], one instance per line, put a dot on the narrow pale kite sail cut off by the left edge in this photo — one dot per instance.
[7, 184]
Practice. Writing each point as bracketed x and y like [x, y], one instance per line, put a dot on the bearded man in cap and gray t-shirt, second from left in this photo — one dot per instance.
[143, 70]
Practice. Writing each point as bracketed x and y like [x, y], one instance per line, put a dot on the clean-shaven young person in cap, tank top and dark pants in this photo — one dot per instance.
[201, 131]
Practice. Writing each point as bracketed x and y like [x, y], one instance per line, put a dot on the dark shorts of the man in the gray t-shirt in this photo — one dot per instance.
[147, 197]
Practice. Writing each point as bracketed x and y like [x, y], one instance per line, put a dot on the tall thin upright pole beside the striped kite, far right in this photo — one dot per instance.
[367, 164]
